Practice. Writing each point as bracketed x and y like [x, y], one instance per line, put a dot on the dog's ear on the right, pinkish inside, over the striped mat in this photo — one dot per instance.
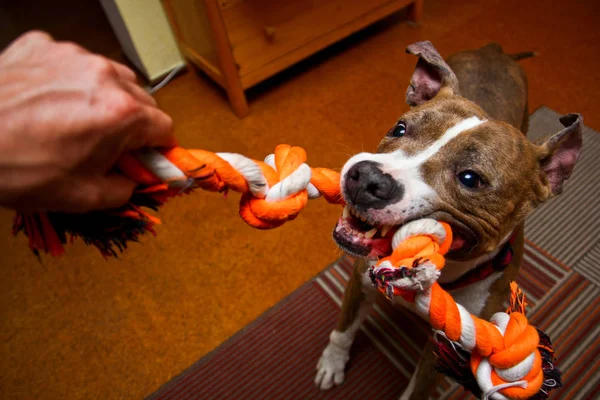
[560, 152]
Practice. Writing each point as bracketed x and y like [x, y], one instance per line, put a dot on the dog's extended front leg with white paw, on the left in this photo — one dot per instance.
[355, 307]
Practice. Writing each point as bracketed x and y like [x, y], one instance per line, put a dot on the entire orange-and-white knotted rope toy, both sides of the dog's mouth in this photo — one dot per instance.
[509, 359]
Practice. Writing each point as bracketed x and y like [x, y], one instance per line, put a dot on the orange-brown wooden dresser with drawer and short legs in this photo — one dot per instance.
[239, 43]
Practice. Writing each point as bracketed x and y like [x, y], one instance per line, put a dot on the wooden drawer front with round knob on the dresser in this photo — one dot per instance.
[261, 31]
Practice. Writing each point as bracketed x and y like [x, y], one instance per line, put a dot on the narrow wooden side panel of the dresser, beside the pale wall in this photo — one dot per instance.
[192, 28]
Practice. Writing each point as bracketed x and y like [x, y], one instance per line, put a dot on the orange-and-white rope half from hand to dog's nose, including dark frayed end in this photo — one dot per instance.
[273, 192]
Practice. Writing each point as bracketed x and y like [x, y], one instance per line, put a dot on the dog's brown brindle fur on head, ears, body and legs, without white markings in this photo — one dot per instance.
[489, 85]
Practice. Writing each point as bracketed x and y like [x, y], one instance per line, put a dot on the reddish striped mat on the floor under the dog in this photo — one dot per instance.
[275, 356]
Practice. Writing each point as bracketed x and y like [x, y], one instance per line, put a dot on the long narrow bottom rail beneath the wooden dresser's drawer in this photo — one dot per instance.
[288, 59]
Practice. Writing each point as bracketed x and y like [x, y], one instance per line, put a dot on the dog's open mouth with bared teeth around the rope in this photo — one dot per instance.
[358, 237]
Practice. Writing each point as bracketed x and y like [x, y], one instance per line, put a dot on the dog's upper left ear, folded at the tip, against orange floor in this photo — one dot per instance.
[432, 75]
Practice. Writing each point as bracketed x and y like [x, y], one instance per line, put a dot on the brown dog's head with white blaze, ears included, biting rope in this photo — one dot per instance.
[447, 159]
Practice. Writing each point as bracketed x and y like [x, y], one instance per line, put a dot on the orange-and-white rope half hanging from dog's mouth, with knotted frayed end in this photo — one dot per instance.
[509, 359]
